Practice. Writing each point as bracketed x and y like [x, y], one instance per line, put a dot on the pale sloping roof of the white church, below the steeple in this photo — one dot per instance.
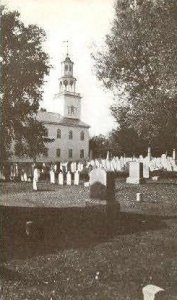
[56, 118]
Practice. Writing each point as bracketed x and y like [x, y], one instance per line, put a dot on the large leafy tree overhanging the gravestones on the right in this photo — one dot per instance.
[139, 64]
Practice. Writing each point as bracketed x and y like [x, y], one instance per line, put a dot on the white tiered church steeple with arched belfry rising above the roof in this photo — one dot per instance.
[67, 90]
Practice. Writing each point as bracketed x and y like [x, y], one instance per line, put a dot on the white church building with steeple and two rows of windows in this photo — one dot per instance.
[70, 135]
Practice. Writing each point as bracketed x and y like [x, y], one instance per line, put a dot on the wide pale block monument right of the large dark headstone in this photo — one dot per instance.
[135, 173]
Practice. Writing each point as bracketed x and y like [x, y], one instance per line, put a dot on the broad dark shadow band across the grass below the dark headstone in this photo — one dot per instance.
[55, 229]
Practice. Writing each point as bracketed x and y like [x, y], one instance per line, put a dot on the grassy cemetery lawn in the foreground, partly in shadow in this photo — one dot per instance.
[75, 257]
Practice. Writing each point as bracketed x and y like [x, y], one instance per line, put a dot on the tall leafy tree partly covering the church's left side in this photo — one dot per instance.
[24, 67]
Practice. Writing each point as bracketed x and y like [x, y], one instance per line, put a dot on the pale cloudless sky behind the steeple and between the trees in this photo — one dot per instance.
[84, 23]
